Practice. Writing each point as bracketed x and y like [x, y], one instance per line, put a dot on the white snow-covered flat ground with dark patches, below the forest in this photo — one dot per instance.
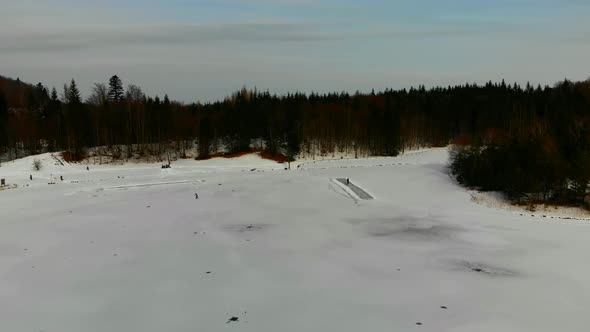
[129, 248]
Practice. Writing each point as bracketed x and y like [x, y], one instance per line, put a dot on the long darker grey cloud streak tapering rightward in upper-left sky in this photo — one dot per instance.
[157, 35]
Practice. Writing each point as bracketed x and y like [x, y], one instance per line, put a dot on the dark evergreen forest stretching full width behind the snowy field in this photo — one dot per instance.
[530, 142]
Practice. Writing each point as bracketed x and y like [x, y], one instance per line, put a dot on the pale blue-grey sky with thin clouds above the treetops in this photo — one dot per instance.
[203, 50]
